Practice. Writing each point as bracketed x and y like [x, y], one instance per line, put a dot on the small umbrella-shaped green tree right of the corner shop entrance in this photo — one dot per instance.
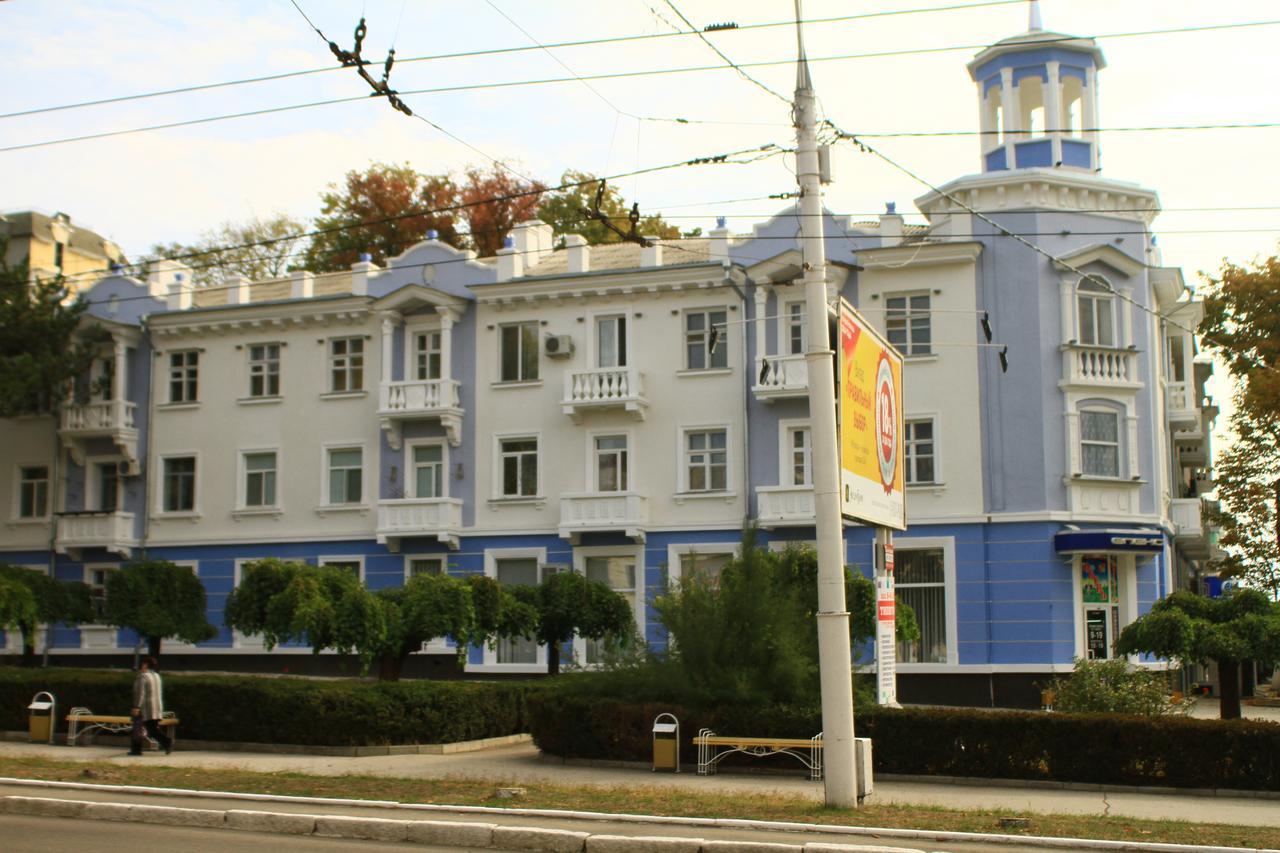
[1242, 626]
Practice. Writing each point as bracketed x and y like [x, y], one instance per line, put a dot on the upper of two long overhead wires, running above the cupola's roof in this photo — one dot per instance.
[492, 52]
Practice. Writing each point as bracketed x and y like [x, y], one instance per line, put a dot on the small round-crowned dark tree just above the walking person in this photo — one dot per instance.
[159, 600]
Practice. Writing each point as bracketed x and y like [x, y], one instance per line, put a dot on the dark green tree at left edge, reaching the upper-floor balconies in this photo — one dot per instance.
[44, 348]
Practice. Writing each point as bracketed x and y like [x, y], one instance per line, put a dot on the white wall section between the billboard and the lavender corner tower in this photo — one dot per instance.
[944, 385]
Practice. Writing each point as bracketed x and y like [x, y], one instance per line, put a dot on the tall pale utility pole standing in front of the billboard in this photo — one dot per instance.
[834, 647]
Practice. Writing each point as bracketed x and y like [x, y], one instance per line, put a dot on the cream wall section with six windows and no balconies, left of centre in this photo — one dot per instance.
[298, 427]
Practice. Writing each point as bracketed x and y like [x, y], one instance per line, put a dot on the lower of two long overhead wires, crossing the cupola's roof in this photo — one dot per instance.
[656, 72]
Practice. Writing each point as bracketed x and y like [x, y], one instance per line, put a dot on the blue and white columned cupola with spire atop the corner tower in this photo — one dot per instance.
[1037, 97]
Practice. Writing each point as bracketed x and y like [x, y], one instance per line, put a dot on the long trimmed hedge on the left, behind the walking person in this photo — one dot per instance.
[286, 710]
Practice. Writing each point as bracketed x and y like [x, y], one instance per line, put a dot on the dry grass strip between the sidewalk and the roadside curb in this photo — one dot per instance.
[642, 801]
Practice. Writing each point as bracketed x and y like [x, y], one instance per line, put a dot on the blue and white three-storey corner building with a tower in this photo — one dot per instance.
[627, 412]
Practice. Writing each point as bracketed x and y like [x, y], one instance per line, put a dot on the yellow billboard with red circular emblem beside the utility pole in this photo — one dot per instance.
[872, 468]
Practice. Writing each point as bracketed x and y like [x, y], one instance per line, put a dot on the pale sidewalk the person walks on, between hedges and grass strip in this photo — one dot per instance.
[524, 765]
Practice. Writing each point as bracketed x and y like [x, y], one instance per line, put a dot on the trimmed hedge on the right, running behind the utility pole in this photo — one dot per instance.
[1082, 749]
